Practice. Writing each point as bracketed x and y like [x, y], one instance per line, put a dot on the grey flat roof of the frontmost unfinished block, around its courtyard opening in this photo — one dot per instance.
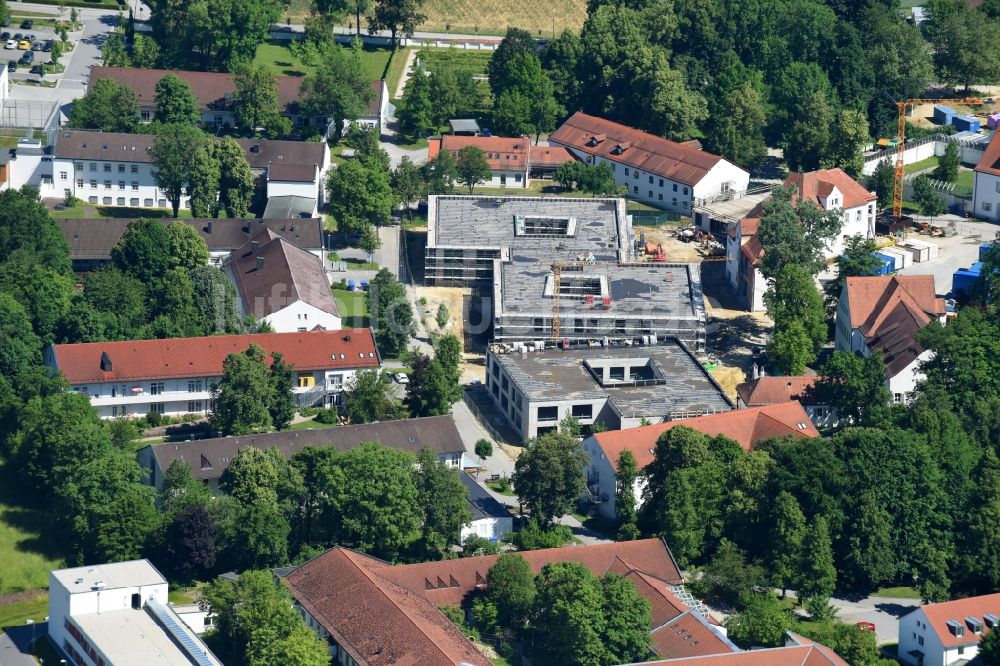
[558, 375]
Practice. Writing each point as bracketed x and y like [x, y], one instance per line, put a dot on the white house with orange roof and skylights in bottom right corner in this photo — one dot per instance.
[949, 632]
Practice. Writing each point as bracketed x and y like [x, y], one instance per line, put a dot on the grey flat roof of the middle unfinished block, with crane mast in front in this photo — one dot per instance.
[657, 289]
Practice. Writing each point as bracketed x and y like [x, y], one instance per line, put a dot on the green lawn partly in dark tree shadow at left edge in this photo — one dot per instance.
[28, 545]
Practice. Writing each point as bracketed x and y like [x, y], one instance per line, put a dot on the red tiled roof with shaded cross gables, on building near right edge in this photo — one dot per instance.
[889, 311]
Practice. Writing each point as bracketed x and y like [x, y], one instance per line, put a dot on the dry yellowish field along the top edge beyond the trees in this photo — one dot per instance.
[485, 17]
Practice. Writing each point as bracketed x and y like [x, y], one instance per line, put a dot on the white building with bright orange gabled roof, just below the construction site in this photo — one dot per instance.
[744, 426]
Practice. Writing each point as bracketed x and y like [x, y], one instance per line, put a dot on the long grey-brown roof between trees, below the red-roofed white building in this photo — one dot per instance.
[209, 458]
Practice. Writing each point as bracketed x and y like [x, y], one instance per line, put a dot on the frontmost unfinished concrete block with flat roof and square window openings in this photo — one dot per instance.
[617, 386]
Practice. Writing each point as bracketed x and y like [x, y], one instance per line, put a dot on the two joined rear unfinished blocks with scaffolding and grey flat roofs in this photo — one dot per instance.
[561, 269]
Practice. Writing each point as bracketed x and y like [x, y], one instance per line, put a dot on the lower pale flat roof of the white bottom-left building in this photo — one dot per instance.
[133, 637]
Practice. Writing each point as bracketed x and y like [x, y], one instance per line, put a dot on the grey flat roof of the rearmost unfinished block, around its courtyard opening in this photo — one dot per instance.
[489, 222]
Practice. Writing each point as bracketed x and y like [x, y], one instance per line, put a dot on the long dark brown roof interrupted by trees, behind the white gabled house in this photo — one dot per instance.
[94, 238]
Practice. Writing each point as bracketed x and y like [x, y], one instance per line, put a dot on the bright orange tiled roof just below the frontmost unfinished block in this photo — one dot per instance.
[744, 426]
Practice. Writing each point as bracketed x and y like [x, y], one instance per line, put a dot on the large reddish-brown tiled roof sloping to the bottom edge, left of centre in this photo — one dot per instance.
[375, 620]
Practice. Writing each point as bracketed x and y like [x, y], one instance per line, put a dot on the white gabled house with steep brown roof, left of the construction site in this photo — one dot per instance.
[282, 284]
